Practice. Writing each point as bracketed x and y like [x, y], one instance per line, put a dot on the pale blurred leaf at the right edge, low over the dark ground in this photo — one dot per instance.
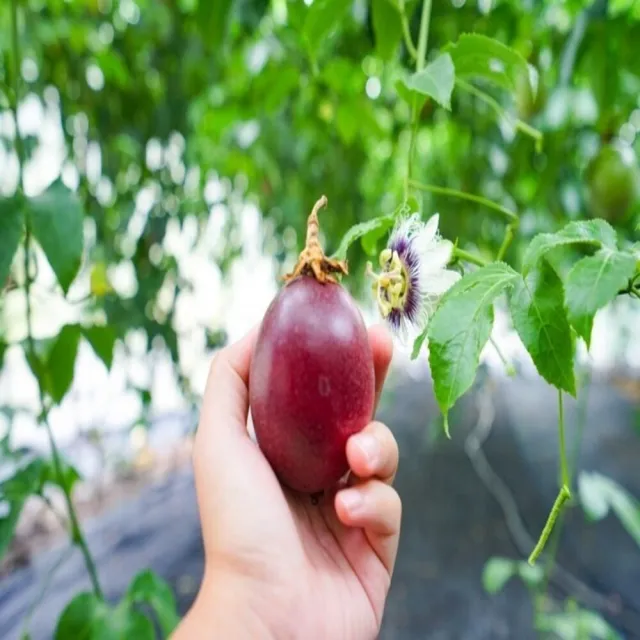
[598, 494]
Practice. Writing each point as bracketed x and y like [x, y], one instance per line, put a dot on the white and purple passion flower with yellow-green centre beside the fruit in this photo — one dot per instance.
[414, 275]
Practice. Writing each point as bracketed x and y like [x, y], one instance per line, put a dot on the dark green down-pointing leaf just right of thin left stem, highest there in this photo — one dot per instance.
[56, 219]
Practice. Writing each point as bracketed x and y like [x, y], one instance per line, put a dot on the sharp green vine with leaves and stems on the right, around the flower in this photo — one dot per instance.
[548, 308]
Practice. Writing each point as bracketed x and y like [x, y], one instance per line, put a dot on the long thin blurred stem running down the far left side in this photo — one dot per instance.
[76, 533]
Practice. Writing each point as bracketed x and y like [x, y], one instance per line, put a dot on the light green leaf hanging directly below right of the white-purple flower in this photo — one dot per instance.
[460, 328]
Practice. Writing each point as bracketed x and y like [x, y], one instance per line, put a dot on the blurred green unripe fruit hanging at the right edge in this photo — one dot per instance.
[612, 184]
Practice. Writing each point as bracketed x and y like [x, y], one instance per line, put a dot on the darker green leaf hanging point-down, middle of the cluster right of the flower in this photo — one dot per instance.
[539, 317]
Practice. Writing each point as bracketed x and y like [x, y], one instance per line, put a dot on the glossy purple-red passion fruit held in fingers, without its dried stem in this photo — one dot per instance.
[311, 384]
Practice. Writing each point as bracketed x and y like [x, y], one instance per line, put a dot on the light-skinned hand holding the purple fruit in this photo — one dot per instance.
[276, 565]
